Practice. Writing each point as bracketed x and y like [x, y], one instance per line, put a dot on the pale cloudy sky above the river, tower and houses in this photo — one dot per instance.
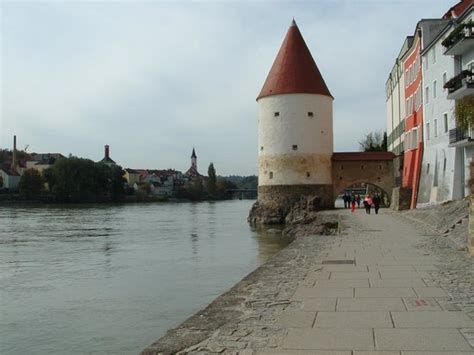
[153, 79]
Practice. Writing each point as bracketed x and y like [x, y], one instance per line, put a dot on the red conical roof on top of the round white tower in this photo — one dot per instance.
[294, 70]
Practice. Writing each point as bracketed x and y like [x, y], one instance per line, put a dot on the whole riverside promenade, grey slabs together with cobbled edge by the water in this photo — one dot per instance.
[383, 285]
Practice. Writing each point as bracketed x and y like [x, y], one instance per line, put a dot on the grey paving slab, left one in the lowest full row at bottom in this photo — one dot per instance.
[329, 339]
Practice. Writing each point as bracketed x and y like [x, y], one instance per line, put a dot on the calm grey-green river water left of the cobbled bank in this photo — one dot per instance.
[112, 279]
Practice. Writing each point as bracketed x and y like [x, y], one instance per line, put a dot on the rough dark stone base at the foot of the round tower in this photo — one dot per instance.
[275, 202]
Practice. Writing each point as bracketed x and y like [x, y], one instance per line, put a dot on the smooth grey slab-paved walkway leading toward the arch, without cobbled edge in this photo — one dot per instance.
[372, 292]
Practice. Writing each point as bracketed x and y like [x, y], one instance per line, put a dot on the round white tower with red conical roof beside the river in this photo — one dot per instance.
[295, 129]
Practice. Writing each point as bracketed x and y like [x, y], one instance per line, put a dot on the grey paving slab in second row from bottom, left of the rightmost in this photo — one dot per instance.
[353, 320]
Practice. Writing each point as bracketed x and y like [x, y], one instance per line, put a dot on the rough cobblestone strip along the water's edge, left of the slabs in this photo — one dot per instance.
[262, 294]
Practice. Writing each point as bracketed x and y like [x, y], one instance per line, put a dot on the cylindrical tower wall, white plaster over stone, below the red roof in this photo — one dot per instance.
[295, 145]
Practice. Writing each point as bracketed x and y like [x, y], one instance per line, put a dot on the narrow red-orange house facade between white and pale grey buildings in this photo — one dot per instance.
[413, 119]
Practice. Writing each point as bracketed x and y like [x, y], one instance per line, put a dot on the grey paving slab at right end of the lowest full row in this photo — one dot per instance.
[420, 339]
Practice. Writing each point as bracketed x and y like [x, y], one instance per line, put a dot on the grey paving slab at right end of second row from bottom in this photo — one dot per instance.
[431, 319]
